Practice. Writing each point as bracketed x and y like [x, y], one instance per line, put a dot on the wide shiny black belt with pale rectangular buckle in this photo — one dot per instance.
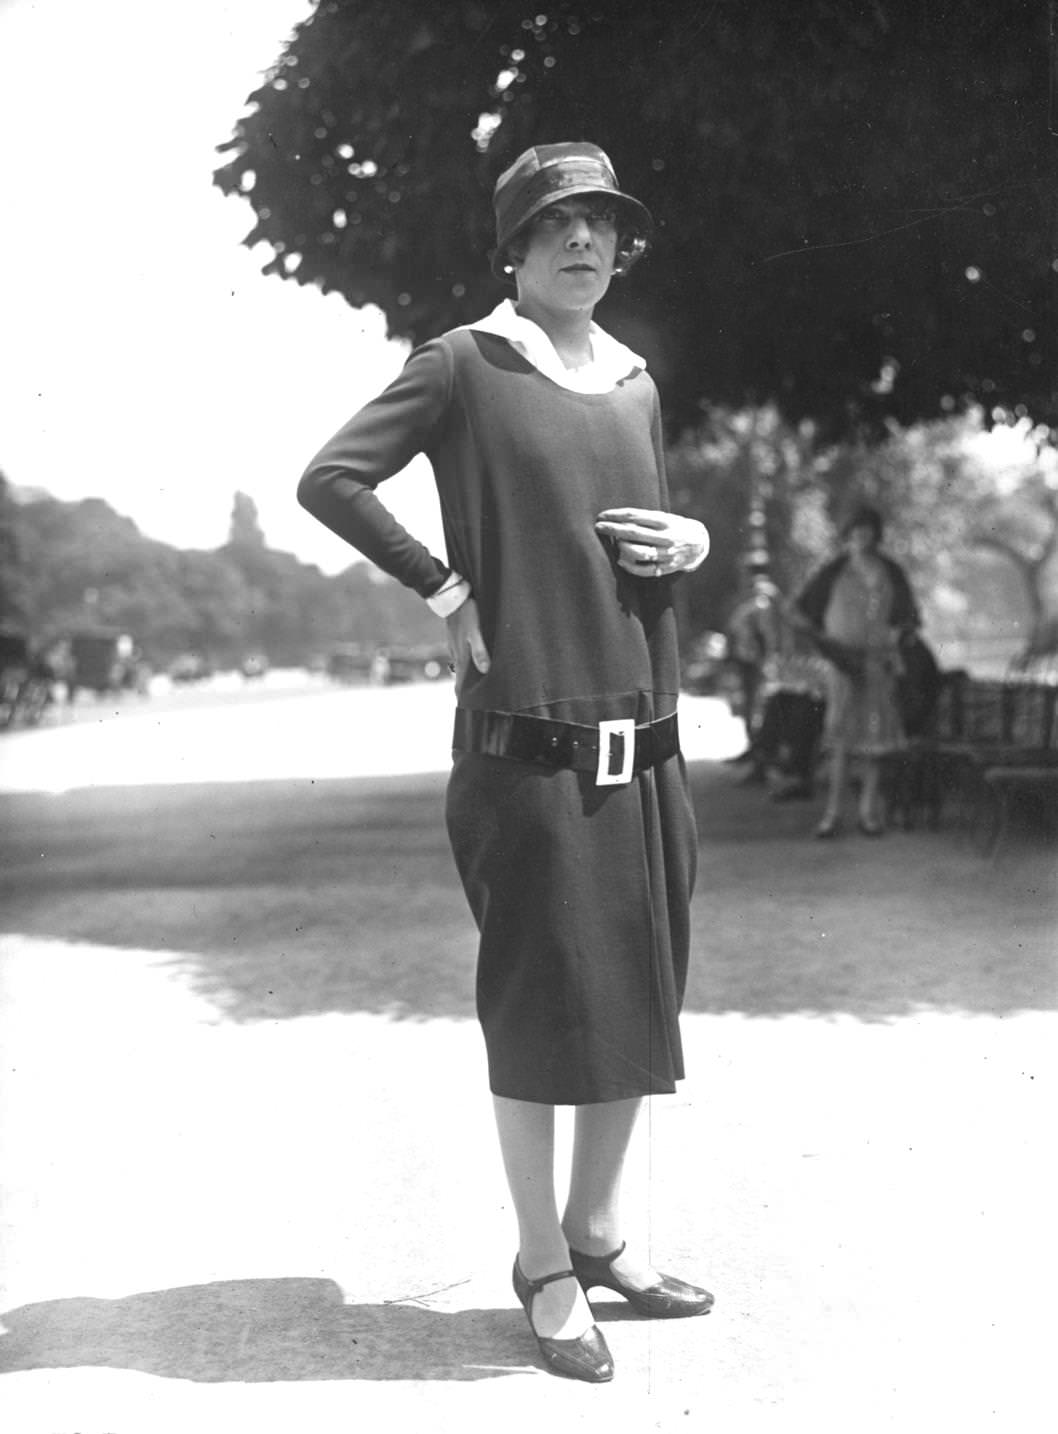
[614, 752]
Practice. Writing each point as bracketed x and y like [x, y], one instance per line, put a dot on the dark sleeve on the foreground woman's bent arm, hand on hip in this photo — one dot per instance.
[376, 444]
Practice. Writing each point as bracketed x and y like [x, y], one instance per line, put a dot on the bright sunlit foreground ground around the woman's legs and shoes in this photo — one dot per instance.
[280, 1225]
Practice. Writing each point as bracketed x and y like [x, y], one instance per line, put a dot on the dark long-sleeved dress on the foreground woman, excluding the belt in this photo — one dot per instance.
[581, 893]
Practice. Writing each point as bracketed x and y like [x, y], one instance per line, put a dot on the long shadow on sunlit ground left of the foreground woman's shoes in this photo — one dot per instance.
[263, 1331]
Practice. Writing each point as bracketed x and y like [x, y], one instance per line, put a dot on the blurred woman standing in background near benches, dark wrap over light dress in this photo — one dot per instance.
[859, 607]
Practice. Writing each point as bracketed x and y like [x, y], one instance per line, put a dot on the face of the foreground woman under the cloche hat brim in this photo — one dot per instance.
[570, 252]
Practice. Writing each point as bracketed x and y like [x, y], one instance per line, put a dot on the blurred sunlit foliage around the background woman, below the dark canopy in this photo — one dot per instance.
[971, 511]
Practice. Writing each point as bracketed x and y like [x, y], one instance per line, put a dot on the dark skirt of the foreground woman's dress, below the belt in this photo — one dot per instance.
[581, 897]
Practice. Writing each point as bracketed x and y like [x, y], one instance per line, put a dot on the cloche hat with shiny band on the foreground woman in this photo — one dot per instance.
[547, 174]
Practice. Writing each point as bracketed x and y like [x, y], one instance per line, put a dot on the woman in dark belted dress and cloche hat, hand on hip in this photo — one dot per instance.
[567, 808]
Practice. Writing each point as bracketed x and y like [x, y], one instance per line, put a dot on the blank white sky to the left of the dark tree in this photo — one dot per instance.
[144, 358]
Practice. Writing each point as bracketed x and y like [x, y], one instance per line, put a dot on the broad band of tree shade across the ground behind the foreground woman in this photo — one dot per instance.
[296, 898]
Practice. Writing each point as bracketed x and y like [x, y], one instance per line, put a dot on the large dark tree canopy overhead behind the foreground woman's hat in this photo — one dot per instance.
[855, 199]
